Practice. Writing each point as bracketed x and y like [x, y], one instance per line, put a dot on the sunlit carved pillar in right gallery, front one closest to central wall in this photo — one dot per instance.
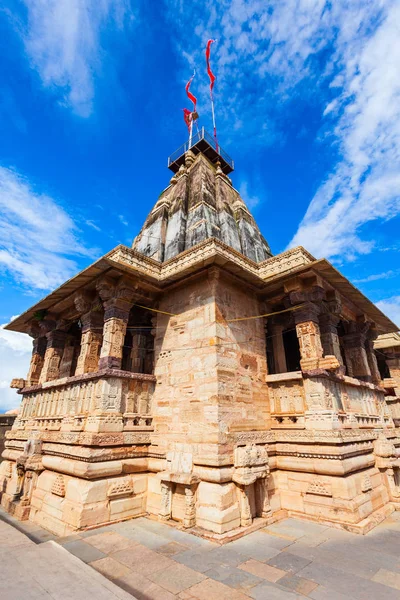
[308, 334]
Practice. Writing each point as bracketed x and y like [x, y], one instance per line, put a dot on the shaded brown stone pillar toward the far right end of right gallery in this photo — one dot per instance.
[354, 348]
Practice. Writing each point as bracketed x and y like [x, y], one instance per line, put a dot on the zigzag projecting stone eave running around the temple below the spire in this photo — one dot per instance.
[262, 276]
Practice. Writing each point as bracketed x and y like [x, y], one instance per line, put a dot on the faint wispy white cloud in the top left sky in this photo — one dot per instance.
[64, 42]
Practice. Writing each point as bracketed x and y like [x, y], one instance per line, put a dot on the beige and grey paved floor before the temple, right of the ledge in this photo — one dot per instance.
[288, 560]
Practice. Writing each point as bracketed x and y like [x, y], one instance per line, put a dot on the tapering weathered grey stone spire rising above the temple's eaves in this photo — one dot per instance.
[200, 203]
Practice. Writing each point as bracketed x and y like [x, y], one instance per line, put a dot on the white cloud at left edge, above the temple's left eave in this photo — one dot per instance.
[37, 237]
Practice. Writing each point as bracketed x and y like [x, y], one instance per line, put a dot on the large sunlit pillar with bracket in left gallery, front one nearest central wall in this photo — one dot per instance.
[117, 302]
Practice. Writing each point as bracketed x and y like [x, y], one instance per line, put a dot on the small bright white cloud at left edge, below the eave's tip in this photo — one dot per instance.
[15, 354]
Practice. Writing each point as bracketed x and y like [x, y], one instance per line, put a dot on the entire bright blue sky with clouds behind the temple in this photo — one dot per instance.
[307, 103]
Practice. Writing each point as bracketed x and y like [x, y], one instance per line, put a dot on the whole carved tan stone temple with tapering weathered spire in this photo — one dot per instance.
[199, 379]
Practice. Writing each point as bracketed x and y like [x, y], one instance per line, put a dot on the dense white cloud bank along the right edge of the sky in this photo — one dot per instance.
[365, 184]
